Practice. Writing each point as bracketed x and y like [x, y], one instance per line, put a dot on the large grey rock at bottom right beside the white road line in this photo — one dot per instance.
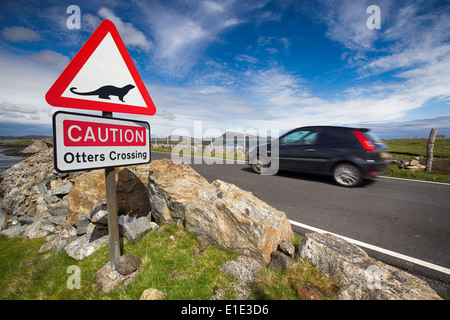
[360, 276]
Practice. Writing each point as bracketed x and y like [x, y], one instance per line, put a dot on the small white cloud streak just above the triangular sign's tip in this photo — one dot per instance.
[130, 35]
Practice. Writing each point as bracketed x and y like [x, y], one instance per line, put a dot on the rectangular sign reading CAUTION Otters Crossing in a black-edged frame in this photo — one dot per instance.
[85, 142]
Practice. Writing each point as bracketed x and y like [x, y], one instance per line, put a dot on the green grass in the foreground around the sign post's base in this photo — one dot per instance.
[169, 266]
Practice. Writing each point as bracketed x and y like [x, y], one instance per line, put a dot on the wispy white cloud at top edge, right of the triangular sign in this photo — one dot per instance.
[183, 31]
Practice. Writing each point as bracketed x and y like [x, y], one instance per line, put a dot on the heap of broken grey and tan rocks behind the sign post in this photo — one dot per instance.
[67, 209]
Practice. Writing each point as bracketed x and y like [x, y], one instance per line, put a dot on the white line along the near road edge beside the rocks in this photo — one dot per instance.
[378, 249]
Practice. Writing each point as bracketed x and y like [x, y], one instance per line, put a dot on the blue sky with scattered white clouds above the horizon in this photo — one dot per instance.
[241, 65]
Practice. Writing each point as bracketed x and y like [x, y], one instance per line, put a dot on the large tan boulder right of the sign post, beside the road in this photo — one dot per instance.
[220, 213]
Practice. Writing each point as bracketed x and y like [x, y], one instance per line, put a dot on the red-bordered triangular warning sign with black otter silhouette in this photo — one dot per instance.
[102, 77]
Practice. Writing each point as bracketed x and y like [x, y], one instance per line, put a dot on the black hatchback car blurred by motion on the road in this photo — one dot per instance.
[347, 154]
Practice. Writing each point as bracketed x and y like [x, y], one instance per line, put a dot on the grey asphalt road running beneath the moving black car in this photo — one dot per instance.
[399, 220]
